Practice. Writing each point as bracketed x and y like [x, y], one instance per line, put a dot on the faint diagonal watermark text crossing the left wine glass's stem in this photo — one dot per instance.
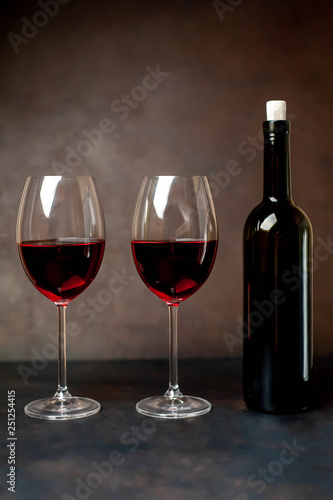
[87, 309]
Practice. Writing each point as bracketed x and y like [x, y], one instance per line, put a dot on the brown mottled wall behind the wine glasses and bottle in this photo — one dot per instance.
[220, 65]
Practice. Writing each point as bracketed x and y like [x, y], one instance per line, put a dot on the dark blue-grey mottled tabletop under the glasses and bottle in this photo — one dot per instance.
[230, 453]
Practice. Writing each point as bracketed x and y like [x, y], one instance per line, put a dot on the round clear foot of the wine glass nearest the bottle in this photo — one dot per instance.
[180, 407]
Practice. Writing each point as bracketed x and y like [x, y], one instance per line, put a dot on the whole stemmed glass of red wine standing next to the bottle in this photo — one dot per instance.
[174, 244]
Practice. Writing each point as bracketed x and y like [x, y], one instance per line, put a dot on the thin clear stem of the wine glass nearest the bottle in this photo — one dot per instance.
[173, 390]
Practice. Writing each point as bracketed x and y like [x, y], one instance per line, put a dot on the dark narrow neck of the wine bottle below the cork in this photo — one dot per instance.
[277, 183]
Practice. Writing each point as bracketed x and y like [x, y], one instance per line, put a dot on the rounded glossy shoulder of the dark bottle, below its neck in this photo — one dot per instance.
[275, 216]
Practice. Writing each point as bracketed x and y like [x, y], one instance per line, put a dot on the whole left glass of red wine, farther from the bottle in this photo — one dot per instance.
[60, 235]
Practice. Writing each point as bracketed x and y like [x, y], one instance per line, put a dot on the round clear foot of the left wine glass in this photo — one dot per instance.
[62, 409]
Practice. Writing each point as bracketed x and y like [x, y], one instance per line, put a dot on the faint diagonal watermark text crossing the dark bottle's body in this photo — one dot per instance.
[266, 308]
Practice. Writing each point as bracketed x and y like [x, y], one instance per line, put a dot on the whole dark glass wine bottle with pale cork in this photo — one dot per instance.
[277, 246]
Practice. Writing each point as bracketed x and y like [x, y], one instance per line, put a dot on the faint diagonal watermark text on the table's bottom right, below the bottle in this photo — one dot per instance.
[260, 479]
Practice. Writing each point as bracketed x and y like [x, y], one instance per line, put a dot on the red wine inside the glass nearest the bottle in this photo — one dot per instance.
[174, 270]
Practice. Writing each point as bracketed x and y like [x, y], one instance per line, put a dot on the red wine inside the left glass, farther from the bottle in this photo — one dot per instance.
[61, 269]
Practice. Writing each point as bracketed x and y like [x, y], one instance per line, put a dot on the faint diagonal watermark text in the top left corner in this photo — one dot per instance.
[31, 27]
